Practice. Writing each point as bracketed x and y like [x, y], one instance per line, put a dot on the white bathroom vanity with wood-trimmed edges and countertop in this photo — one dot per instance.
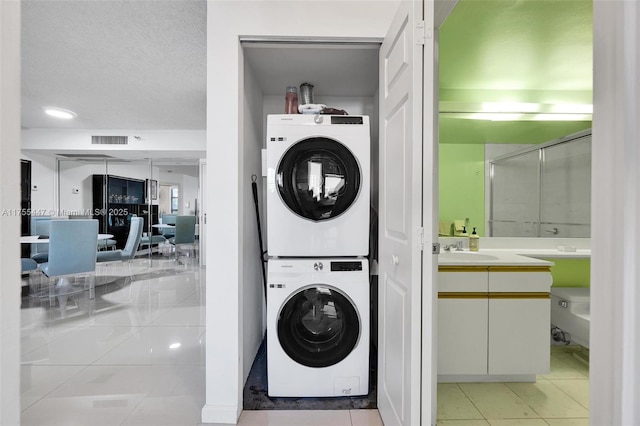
[493, 317]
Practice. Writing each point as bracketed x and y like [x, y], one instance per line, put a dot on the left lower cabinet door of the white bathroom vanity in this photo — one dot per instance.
[462, 335]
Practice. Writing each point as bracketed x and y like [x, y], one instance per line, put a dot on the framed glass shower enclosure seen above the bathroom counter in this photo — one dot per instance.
[543, 191]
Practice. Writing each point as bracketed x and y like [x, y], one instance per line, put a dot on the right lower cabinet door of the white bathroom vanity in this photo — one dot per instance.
[519, 335]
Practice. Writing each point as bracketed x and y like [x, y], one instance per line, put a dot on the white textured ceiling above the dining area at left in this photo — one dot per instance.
[117, 64]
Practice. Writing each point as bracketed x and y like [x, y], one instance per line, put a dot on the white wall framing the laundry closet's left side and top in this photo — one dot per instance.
[228, 176]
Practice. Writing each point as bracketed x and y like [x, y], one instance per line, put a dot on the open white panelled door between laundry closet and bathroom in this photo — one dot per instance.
[400, 218]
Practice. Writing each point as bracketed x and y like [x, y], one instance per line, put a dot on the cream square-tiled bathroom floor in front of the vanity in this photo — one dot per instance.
[560, 398]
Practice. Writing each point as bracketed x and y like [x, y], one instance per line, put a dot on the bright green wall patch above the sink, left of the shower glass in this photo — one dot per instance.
[461, 175]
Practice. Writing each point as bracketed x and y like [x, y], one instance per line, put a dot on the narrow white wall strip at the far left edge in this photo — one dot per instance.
[9, 223]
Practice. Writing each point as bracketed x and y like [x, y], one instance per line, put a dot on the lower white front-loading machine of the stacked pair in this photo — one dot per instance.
[318, 327]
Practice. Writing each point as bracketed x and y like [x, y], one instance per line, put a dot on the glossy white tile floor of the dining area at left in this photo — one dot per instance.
[134, 355]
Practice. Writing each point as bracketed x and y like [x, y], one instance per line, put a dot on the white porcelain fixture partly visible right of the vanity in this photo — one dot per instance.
[570, 312]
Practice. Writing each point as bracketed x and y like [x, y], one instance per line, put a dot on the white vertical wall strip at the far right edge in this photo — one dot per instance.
[615, 317]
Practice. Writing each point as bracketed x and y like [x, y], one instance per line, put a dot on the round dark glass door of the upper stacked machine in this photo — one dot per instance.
[318, 178]
